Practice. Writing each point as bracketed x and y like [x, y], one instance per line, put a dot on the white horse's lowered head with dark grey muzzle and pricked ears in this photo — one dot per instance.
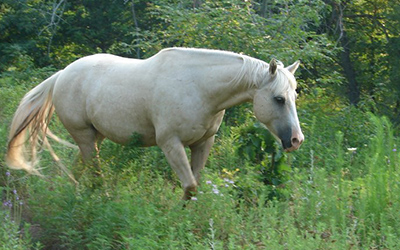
[274, 105]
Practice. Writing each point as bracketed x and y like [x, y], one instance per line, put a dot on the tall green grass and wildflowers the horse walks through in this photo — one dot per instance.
[341, 192]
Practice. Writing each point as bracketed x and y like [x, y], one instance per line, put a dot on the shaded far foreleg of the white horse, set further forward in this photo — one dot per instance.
[200, 153]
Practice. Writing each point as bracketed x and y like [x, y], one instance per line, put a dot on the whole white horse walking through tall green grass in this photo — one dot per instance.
[175, 99]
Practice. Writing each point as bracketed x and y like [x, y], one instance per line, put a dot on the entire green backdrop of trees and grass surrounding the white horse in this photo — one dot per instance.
[339, 191]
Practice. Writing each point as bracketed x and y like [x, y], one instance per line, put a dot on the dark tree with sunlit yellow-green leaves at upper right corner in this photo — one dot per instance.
[366, 31]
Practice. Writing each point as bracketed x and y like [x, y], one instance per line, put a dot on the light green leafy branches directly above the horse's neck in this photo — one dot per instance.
[234, 25]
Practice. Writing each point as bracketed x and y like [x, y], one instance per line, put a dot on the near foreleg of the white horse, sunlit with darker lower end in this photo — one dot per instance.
[177, 158]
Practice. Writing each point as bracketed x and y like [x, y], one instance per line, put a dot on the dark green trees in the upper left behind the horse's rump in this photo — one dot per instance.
[58, 32]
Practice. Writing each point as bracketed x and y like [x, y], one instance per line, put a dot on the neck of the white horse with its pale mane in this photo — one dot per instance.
[224, 80]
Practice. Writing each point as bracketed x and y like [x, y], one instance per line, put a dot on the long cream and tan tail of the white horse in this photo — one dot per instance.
[29, 126]
